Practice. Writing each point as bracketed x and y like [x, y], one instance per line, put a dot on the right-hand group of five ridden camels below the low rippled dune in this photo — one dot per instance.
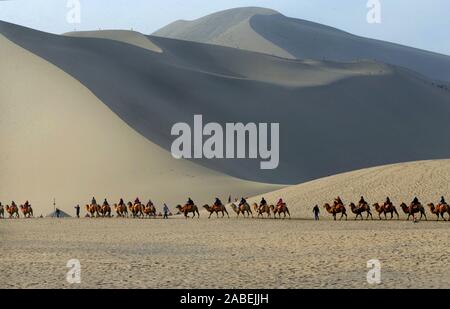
[387, 208]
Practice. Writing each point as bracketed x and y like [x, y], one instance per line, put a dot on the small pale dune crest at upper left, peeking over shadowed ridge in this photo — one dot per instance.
[129, 37]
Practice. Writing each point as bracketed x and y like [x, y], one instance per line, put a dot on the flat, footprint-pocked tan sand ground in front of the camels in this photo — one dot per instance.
[230, 253]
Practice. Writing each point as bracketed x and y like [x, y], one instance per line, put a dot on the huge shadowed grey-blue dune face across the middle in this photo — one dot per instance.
[334, 117]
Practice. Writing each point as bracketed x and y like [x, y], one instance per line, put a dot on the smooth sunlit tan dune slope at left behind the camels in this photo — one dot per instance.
[59, 141]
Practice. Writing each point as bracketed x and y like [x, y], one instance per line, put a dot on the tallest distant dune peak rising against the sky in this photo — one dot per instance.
[270, 32]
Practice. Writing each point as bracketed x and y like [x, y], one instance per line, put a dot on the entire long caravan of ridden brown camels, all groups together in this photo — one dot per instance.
[385, 210]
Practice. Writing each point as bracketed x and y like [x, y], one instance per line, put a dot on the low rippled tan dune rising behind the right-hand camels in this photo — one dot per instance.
[428, 180]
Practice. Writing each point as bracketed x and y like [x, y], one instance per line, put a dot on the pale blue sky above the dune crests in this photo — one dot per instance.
[419, 23]
